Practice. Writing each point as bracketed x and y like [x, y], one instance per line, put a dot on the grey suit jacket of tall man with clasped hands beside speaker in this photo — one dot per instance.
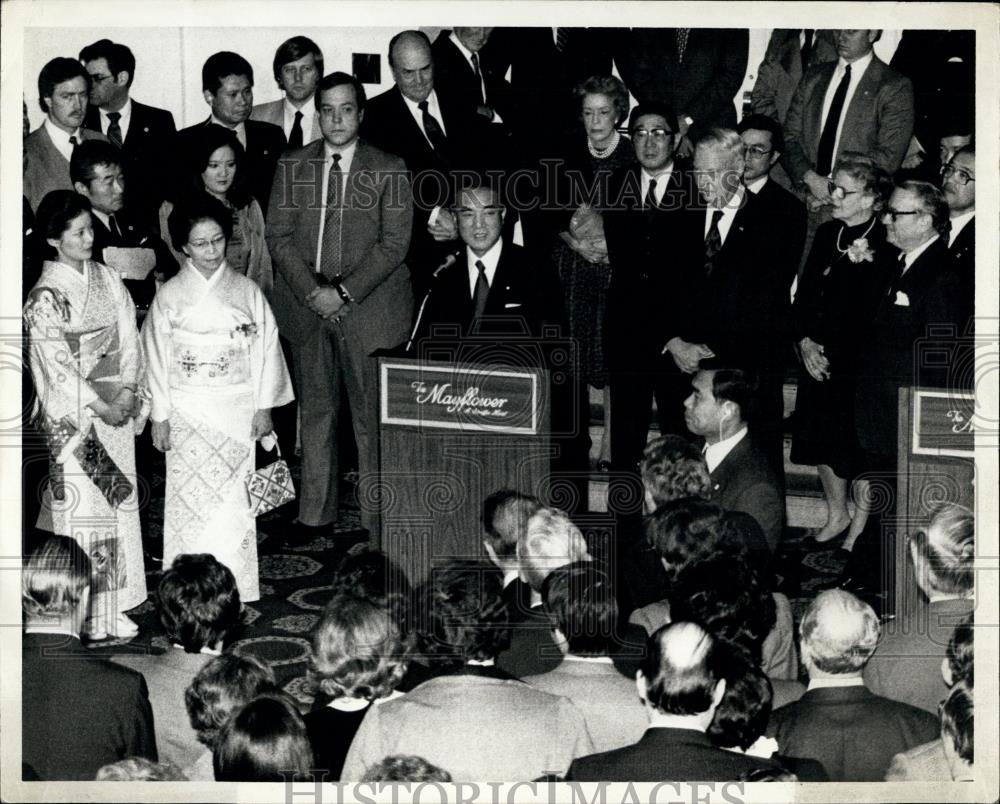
[376, 226]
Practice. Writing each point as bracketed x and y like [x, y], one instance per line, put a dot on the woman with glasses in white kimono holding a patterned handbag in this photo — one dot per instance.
[215, 371]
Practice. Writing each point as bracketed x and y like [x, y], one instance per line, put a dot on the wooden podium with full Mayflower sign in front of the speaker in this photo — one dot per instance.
[448, 436]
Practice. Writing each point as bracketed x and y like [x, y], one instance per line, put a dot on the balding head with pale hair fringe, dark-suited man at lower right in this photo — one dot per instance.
[839, 635]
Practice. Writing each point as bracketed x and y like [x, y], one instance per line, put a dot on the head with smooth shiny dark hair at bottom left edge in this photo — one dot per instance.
[265, 741]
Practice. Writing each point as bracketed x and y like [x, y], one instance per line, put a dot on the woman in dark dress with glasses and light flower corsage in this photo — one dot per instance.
[834, 304]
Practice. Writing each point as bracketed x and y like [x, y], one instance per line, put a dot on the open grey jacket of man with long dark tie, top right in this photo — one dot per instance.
[878, 121]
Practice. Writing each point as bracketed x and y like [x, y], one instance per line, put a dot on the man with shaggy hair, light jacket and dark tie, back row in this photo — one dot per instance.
[298, 66]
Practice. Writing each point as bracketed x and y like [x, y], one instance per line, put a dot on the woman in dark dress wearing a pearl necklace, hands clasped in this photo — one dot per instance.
[581, 254]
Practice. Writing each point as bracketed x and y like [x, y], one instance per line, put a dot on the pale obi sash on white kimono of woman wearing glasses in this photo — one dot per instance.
[209, 360]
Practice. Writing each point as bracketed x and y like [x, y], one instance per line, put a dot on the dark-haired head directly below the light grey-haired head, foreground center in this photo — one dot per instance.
[581, 607]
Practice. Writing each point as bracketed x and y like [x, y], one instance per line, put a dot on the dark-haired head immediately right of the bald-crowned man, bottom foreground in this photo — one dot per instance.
[742, 715]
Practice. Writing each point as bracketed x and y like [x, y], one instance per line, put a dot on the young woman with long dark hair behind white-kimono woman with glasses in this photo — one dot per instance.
[216, 167]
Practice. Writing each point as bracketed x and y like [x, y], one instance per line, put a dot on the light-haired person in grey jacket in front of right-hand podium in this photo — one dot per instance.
[906, 665]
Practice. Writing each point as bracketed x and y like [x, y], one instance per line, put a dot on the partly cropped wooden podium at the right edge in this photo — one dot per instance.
[936, 465]
